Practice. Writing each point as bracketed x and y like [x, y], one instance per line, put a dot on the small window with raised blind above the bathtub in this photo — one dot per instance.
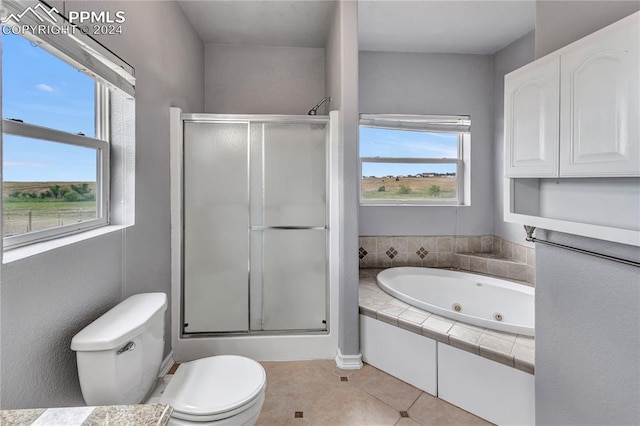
[413, 159]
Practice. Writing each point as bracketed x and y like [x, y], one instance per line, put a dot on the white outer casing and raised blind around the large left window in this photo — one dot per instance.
[115, 96]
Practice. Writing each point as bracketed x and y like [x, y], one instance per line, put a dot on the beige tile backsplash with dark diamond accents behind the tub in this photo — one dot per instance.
[486, 254]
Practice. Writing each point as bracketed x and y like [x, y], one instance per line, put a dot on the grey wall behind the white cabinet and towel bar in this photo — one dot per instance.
[587, 309]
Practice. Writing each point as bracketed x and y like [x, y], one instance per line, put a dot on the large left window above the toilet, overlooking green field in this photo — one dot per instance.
[55, 164]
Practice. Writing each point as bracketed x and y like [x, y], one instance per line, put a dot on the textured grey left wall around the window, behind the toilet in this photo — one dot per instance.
[48, 298]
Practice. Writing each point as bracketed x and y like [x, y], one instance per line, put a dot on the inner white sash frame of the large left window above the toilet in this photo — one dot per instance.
[103, 164]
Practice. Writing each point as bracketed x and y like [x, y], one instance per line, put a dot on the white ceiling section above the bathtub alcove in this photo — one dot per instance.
[480, 26]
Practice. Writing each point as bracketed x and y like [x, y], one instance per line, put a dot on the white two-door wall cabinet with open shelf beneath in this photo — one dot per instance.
[572, 140]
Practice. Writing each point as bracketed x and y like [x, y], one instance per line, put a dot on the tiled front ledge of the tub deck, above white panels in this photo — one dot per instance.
[513, 350]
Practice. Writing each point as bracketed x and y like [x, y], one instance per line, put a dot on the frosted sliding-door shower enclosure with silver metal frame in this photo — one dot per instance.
[254, 244]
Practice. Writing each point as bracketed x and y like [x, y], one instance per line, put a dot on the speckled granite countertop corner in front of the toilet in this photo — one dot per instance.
[116, 415]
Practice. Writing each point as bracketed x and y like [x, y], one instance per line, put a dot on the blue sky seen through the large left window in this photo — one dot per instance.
[43, 90]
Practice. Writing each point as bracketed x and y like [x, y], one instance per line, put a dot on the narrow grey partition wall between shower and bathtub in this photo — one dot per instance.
[342, 87]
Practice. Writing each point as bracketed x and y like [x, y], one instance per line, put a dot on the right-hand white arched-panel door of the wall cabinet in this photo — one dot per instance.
[599, 103]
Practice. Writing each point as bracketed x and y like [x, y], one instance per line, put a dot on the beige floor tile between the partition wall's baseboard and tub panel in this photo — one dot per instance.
[393, 392]
